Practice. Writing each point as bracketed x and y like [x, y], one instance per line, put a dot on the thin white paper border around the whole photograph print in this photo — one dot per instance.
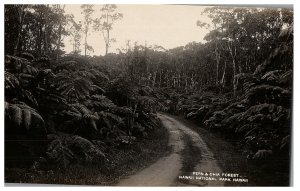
[202, 2]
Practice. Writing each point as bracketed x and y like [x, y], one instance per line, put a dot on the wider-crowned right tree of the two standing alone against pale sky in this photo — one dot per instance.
[104, 24]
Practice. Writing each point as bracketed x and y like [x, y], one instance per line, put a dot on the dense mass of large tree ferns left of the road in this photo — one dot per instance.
[63, 113]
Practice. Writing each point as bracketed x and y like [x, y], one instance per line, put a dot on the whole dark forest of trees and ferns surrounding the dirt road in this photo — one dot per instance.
[73, 112]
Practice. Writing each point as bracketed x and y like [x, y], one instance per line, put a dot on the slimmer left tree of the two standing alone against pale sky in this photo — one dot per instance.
[87, 10]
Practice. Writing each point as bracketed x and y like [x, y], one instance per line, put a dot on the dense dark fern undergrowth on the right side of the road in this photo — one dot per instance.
[258, 119]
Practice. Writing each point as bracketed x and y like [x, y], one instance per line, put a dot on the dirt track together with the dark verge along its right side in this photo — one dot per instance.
[189, 160]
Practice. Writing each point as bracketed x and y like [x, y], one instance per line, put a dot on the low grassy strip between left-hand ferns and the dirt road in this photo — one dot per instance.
[123, 161]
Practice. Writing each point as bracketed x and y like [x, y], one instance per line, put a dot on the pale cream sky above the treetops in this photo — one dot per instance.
[169, 26]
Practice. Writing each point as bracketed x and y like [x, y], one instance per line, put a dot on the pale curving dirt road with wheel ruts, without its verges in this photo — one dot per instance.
[168, 171]
